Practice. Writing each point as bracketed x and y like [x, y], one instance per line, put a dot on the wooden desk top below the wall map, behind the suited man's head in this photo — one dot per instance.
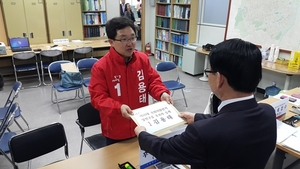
[267, 65]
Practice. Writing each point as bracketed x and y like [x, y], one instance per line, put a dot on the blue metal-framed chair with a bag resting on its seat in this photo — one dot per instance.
[55, 68]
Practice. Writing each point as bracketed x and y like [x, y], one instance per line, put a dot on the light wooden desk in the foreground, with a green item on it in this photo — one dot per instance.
[104, 158]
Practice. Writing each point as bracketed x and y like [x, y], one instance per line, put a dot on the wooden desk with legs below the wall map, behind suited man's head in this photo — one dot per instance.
[267, 65]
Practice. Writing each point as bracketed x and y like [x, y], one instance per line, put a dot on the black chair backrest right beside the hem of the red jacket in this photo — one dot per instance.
[88, 115]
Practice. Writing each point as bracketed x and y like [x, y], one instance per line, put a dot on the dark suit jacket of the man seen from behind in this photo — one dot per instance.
[241, 136]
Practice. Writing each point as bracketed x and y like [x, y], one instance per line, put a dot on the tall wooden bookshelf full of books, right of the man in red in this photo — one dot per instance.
[176, 25]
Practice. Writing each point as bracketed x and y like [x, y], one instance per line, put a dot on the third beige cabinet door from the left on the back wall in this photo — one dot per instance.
[56, 19]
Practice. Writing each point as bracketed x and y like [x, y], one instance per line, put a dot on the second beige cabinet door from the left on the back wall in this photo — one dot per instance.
[36, 23]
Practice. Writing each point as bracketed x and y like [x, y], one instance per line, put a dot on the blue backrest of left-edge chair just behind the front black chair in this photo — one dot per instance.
[8, 118]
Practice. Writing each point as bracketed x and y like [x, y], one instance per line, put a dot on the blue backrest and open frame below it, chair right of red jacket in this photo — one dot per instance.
[168, 71]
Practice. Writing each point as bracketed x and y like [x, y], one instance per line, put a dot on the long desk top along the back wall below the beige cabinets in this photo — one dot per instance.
[71, 46]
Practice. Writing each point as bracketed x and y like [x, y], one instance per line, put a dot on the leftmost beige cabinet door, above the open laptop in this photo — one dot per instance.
[15, 18]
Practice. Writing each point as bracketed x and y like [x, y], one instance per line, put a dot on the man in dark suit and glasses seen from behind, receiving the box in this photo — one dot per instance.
[242, 135]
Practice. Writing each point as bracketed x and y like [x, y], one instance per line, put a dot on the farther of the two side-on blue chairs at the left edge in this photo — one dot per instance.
[10, 100]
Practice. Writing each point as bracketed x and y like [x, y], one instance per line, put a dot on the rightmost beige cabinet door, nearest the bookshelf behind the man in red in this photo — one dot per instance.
[73, 19]
